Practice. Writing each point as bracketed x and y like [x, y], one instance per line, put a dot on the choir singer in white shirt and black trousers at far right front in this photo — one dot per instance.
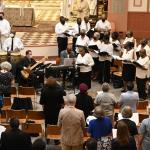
[142, 73]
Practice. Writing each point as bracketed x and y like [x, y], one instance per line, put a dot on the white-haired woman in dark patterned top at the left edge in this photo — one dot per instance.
[6, 79]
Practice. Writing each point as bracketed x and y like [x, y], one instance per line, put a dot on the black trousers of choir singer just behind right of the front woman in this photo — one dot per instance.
[104, 71]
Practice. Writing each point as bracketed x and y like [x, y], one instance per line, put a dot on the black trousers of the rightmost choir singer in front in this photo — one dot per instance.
[141, 87]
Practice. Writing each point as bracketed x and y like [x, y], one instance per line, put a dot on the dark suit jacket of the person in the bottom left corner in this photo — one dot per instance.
[15, 139]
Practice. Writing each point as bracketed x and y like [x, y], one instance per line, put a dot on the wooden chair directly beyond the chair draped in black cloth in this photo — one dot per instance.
[24, 92]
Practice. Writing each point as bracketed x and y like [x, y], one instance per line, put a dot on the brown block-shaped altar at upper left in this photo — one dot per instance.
[20, 16]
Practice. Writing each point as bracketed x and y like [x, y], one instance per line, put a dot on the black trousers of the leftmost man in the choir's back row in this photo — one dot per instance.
[62, 44]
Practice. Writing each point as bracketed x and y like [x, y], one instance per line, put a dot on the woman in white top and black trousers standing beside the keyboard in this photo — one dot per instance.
[84, 62]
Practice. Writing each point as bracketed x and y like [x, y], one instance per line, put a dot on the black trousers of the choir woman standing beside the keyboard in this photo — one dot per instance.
[85, 77]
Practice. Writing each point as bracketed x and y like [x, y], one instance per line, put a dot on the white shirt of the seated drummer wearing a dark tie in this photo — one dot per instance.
[17, 44]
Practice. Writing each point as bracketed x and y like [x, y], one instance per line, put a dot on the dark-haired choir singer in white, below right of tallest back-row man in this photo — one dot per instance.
[114, 40]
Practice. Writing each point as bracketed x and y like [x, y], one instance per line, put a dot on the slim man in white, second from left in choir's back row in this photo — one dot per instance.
[76, 33]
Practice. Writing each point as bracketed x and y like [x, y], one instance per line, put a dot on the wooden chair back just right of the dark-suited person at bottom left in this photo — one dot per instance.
[32, 128]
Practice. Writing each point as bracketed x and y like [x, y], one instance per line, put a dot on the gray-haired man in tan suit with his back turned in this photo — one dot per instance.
[72, 123]
